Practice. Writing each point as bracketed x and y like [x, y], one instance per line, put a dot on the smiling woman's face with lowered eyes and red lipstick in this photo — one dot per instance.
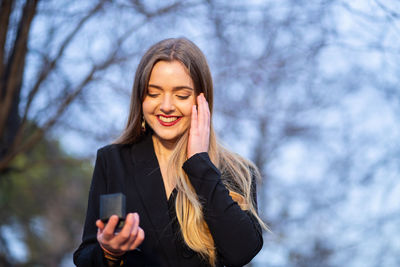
[168, 102]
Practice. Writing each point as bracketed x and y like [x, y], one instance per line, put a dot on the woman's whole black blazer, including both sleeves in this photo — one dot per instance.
[134, 170]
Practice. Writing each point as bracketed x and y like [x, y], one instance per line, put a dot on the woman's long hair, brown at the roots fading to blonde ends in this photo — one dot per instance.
[237, 173]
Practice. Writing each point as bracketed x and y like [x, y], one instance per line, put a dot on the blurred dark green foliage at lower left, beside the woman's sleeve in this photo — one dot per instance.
[41, 205]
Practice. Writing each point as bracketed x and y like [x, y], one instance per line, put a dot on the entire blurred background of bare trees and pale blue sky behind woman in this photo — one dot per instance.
[306, 89]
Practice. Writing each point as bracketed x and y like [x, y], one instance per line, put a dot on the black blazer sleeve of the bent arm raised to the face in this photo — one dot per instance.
[236, 233]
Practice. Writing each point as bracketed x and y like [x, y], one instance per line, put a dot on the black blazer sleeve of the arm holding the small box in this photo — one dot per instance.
[89, 252]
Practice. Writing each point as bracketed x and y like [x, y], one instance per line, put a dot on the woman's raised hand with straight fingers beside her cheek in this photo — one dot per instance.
[199, 135]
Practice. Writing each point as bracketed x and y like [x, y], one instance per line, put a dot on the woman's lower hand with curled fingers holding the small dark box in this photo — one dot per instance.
[129, 238]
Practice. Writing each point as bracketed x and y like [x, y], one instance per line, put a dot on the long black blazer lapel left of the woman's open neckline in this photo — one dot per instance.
[150, 186]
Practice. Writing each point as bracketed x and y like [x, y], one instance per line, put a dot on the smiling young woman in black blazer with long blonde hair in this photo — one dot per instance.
[190, 202]
